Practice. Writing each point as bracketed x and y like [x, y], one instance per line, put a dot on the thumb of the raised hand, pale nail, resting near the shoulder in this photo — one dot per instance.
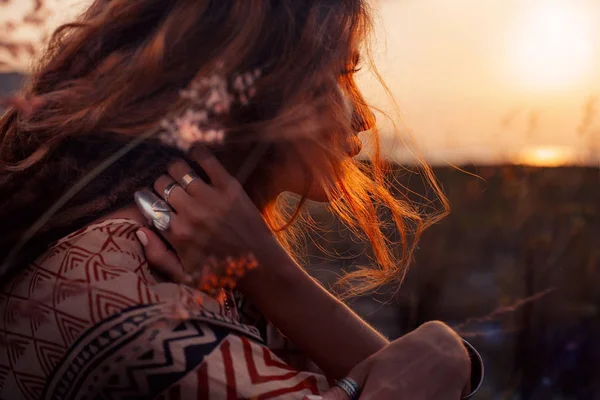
[160, 257]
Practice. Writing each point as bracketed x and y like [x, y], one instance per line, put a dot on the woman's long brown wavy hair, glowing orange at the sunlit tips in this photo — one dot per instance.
[114, 74]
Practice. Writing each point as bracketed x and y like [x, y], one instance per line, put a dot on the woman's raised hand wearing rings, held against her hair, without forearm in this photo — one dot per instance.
[217, 220]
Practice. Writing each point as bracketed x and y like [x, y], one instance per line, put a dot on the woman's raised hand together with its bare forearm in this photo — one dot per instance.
[328, 332]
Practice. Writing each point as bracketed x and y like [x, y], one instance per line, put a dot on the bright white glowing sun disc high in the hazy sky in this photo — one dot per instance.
[552, 46]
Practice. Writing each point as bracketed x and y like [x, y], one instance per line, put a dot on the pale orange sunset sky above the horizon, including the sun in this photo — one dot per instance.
[486, 80]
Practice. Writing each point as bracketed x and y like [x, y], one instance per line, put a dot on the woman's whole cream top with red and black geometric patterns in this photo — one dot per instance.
[88, 320]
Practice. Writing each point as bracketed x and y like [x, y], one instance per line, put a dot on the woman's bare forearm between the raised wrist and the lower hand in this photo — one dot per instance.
[333, 336]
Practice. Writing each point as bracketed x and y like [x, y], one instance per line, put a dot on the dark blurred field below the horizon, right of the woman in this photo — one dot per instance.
[515, 269]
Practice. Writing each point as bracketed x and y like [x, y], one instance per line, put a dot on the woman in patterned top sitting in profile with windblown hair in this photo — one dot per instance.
[83, 314]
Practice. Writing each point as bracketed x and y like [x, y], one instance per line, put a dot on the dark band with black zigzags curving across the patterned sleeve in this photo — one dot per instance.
[138, 353]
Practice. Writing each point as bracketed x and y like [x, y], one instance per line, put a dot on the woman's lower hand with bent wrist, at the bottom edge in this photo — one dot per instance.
[428, 363]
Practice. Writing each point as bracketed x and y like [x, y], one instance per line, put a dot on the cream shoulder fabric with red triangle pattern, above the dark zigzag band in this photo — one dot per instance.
[83, 279]
